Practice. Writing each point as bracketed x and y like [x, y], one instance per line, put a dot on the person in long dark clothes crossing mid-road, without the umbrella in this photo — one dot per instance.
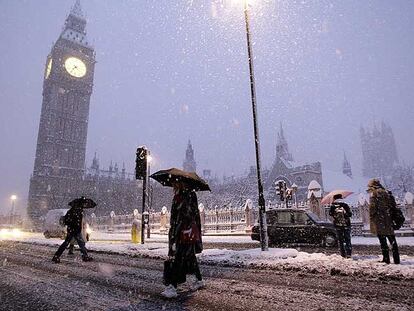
[184, 240]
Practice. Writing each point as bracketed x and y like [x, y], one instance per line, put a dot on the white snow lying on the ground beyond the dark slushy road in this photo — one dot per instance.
[276, 258]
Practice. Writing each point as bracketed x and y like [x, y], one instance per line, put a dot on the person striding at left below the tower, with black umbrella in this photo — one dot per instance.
[73, 221]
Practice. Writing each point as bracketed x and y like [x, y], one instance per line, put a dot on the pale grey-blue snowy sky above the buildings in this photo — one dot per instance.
[169, 71]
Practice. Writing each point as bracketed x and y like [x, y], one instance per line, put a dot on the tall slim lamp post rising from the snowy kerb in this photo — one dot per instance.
[264, 240]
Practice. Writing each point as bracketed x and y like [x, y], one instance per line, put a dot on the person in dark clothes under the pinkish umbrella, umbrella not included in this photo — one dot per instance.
[341, 214]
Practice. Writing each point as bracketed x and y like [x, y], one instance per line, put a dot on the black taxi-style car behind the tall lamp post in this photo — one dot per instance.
[295, 226]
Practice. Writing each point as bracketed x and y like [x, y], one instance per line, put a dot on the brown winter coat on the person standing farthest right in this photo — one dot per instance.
[380, 212]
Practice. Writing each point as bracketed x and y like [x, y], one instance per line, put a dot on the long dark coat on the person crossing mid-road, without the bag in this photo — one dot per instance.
[184, 211]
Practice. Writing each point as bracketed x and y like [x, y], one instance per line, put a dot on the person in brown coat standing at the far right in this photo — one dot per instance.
[380, 213]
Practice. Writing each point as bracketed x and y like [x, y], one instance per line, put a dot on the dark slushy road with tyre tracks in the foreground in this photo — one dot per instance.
[29, 281]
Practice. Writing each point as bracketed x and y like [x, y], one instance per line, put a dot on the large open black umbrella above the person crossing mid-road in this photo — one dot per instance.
[191, 179]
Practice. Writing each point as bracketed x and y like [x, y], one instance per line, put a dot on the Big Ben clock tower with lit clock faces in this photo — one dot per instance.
[61, 142]
